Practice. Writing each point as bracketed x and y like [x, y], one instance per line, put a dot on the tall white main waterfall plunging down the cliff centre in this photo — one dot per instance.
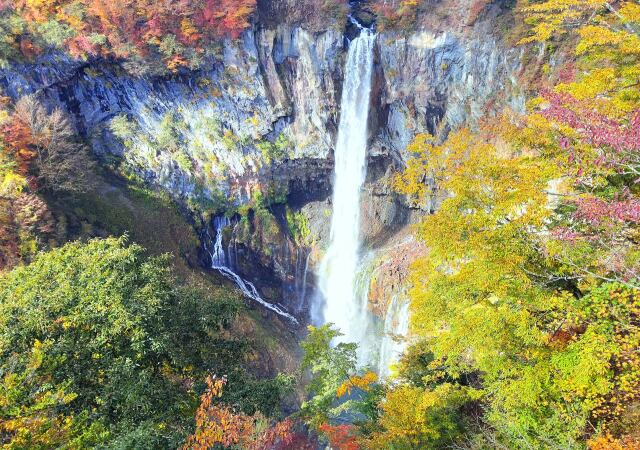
[338, 269]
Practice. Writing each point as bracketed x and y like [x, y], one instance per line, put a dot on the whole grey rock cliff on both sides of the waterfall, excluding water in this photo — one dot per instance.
[263, 116]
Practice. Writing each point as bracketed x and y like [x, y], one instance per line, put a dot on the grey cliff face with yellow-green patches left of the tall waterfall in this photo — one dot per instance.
[199, 132]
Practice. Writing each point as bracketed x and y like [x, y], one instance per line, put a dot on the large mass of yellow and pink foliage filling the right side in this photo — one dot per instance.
[529, 294]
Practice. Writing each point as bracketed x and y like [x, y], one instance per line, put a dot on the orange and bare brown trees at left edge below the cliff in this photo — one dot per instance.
[39, 154]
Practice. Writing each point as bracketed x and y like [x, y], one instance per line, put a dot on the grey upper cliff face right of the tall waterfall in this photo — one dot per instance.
[429, 81]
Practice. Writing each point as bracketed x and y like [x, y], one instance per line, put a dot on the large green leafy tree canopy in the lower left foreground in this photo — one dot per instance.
[100, 346]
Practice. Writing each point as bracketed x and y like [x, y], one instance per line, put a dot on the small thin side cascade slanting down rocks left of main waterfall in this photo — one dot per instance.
[220, 262]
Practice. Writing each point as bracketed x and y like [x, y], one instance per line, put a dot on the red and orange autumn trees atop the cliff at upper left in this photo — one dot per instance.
[178, 32]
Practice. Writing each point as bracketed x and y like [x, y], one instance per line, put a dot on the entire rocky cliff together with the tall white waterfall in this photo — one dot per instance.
[260, 123]
